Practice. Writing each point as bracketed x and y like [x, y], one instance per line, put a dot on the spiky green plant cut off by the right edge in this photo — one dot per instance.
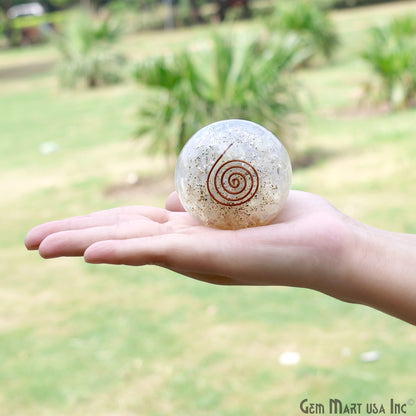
[391, 54]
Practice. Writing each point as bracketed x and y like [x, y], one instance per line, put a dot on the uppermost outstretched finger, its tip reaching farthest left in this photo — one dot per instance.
[100, 218]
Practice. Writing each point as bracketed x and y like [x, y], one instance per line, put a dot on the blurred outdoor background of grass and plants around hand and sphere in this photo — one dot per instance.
[96, 100]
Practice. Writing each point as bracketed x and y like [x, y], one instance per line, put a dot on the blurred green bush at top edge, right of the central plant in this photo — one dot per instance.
[309, 20]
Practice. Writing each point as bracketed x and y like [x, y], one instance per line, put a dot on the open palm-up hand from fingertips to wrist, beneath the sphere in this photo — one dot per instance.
[306, 246]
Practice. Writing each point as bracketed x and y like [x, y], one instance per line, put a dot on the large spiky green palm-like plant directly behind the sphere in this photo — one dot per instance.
[247, 79]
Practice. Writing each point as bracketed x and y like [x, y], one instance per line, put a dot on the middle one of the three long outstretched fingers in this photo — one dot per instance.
[75, 242]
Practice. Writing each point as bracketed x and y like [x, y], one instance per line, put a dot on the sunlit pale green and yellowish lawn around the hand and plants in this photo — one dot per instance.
[78, 339]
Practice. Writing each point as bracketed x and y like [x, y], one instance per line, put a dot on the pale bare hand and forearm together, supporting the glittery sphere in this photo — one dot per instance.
[310, 245]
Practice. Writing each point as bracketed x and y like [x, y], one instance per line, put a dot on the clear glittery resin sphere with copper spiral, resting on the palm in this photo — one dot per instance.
[233, 174]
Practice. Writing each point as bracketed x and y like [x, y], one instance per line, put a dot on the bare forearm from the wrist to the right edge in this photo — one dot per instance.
[382, 272]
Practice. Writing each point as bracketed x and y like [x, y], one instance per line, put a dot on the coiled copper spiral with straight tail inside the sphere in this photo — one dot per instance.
[233, 182]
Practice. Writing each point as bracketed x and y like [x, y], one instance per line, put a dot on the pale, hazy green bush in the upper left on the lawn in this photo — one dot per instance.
[86, 52]
